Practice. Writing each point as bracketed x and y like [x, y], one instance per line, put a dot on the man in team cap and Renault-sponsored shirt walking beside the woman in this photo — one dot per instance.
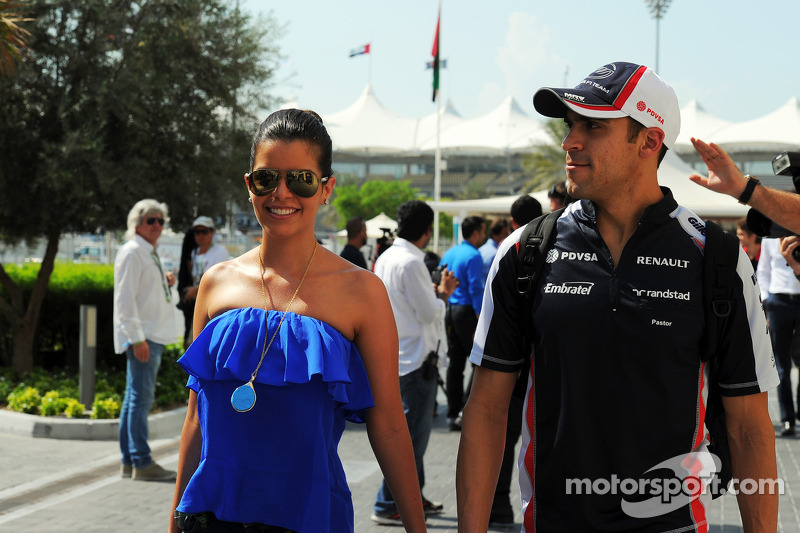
[615, 408]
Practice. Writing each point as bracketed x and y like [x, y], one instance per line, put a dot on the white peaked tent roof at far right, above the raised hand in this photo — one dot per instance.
[775, 132]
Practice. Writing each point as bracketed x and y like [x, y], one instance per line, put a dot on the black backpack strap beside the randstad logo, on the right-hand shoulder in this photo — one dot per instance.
[719, 275]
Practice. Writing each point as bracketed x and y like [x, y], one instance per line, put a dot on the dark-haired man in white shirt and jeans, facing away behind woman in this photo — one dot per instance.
[419, 308]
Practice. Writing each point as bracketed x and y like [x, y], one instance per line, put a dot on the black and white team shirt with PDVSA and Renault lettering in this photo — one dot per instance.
[614, 412]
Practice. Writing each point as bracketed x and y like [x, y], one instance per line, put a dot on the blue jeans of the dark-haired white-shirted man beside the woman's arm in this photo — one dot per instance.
[419, 396]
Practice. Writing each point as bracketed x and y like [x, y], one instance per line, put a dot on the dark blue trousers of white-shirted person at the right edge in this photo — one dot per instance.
[783, 313]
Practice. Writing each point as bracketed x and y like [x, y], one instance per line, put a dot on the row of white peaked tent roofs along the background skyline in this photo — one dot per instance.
[367, 128]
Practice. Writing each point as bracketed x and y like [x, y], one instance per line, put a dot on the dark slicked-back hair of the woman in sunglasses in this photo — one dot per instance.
[289, 125]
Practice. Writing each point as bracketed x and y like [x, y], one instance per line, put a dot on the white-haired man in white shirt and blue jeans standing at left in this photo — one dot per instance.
[143, 325]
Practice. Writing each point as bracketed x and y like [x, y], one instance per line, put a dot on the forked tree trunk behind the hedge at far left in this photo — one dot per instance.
[25, 321]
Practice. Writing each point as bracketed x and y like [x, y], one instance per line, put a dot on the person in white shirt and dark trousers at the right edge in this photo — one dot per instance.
[780, 292]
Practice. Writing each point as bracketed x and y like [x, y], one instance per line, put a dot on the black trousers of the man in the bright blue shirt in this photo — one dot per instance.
[461, 322]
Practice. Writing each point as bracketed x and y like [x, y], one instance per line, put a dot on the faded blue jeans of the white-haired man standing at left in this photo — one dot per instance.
[140, 391]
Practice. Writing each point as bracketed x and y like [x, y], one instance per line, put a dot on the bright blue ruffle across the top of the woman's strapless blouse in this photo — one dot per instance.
[303, 348]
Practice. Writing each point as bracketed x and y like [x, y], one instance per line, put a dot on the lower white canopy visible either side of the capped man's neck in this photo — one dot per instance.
[672, 173]
